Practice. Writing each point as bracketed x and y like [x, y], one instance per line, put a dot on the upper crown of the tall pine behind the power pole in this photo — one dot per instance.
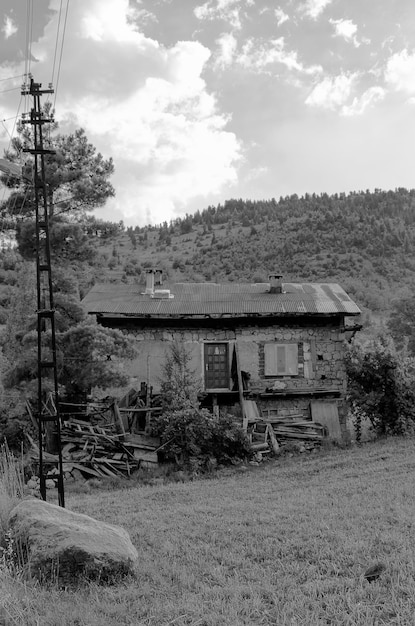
[77, 180]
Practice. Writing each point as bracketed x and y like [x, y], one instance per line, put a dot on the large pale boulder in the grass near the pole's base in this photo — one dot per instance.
[56, 543]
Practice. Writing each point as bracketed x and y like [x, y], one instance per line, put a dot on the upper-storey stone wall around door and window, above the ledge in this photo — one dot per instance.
[320, 354]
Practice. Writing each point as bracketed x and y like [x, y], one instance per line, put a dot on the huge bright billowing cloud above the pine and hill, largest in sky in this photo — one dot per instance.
[145, 105]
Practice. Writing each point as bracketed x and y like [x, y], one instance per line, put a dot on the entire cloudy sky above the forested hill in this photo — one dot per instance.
[199, 102]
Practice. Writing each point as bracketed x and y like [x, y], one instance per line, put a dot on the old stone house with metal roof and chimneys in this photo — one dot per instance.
[281, 344]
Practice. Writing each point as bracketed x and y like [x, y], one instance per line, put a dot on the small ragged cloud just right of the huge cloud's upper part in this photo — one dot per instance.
[259, 56]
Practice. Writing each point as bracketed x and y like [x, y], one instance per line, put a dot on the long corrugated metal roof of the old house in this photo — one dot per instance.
[210, 299]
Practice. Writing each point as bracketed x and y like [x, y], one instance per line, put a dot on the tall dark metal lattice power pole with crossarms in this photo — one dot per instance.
[48, 415]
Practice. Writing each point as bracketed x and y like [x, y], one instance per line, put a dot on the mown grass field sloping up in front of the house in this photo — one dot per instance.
[285, 543]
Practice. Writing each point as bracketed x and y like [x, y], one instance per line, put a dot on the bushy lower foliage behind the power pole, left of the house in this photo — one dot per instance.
[88, 355]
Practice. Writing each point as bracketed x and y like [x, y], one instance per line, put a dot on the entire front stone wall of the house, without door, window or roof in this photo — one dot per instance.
[321, 363]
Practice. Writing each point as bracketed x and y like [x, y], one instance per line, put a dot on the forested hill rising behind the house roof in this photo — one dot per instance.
[363, 240]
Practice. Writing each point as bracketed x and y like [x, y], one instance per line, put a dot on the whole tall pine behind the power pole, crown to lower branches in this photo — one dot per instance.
[88, 355]
